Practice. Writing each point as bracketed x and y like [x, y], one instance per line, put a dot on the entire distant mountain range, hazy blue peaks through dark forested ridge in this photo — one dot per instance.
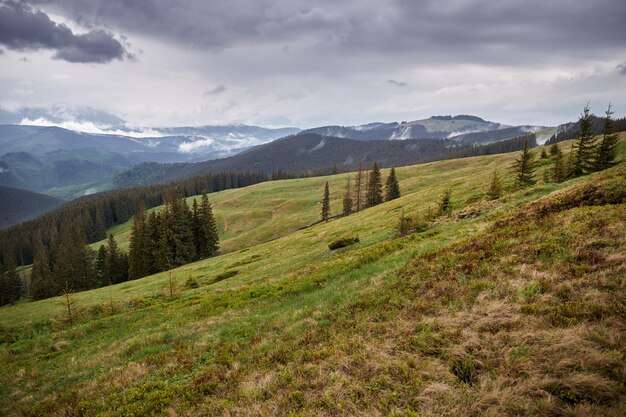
[67, 163]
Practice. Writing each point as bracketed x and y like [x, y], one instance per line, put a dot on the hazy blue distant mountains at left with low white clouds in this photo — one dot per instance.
[68, 163]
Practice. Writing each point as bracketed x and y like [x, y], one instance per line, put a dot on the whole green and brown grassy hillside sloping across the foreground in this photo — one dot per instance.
[510, 307]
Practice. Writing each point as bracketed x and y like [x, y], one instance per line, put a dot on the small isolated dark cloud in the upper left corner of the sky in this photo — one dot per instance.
[22, 28]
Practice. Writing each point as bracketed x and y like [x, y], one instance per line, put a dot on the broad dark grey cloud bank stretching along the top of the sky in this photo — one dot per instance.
[446, 30]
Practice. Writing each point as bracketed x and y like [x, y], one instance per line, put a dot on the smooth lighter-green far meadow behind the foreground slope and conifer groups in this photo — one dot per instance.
[266, 211]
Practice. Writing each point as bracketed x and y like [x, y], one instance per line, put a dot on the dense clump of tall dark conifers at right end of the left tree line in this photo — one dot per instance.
[176, 235]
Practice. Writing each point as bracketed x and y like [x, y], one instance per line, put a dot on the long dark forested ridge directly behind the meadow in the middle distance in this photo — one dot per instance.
[310, 153]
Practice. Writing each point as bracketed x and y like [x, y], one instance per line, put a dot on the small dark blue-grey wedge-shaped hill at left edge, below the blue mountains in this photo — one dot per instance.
[18, 205]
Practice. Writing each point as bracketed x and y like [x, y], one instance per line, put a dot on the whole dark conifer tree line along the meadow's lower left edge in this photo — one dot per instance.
[175, 235]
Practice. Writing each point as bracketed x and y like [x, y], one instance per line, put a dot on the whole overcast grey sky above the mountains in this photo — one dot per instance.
[308, 63]
